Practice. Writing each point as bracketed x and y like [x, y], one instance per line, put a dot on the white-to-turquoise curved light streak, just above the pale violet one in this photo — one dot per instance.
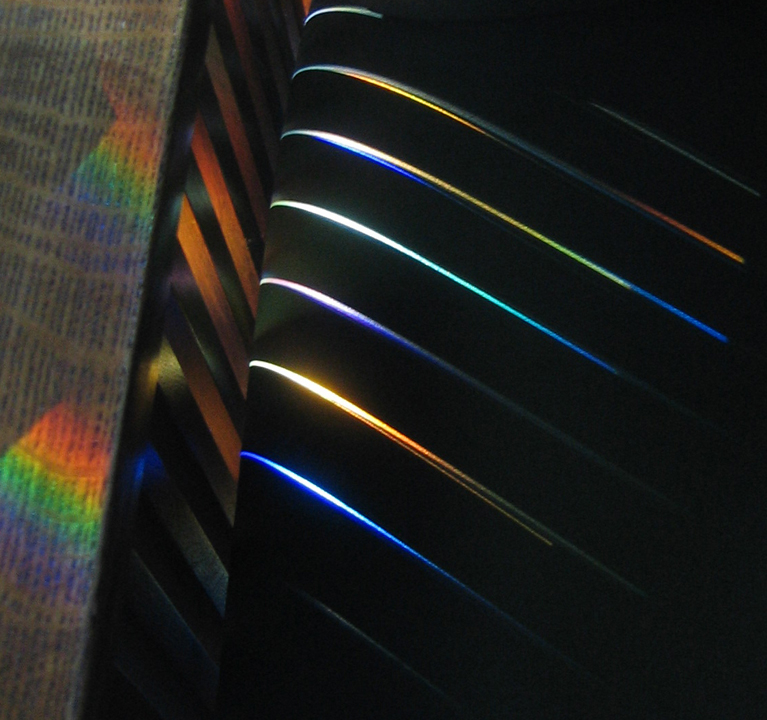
[378, 237]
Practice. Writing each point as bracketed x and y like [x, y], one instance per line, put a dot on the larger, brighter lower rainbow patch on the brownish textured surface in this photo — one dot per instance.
[51, 497]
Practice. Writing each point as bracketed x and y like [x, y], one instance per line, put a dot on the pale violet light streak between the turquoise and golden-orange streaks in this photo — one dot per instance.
[356, 316]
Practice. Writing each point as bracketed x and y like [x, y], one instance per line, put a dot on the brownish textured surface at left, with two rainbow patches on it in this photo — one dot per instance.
[86, 90]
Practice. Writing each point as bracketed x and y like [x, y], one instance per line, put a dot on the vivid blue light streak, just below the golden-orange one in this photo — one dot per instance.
[351, 512]
